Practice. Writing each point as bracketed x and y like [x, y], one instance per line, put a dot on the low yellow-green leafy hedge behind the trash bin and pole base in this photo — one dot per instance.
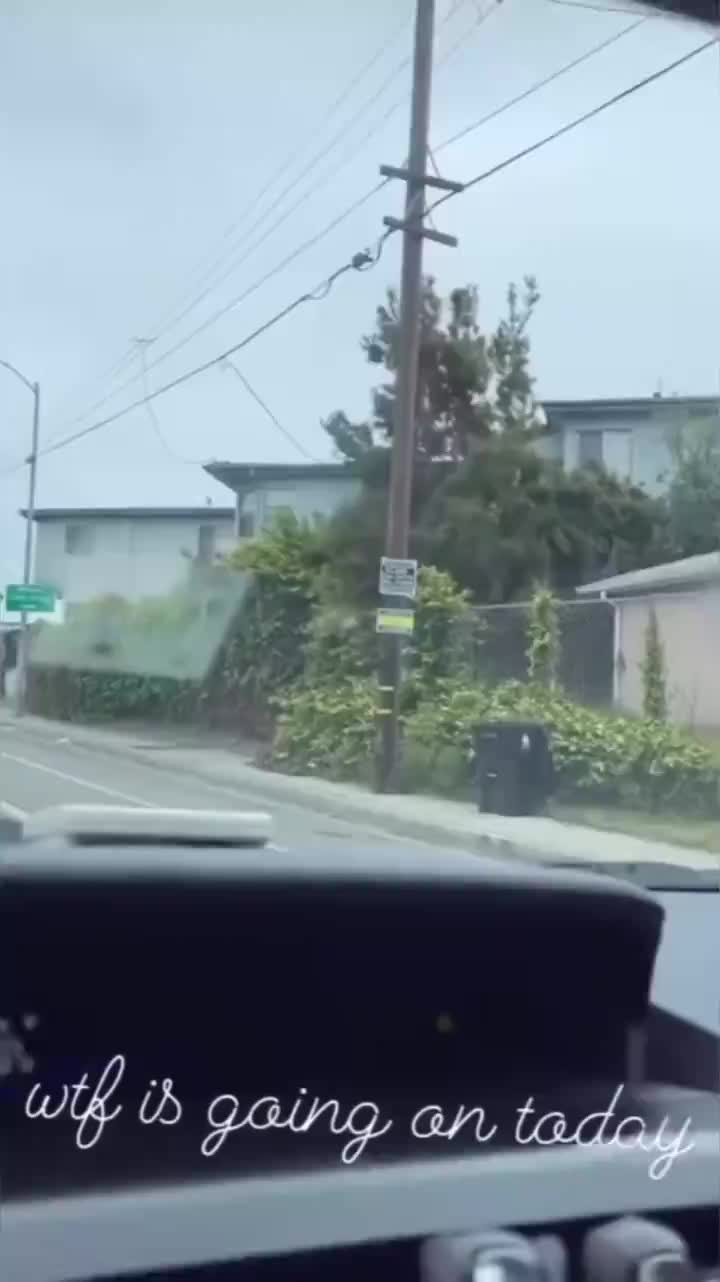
[600, 757]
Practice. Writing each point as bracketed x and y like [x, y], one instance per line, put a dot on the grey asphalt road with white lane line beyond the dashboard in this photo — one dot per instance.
[37, 774]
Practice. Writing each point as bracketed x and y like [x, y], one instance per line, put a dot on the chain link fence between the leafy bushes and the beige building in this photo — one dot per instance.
[495, 648]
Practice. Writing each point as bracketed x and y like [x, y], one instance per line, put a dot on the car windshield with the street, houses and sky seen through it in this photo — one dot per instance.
[363, 420]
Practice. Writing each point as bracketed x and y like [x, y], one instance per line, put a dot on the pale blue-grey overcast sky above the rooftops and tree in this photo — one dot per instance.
[135, 142]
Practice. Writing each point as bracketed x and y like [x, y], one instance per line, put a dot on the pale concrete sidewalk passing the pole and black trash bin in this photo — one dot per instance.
[218, 760]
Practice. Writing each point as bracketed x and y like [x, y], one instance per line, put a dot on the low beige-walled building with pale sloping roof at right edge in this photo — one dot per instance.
[686, 599]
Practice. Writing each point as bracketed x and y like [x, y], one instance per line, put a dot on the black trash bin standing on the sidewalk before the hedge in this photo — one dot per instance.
[514, 771]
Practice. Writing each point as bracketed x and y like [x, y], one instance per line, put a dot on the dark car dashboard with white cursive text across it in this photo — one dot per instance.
[412, 980]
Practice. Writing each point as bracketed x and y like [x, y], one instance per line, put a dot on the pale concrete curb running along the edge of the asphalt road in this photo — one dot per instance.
[289, 789]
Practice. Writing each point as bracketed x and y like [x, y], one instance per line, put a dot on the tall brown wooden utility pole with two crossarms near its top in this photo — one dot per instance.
[407, 385]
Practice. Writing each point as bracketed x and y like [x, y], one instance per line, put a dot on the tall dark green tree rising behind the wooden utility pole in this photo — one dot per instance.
[486, 507]
